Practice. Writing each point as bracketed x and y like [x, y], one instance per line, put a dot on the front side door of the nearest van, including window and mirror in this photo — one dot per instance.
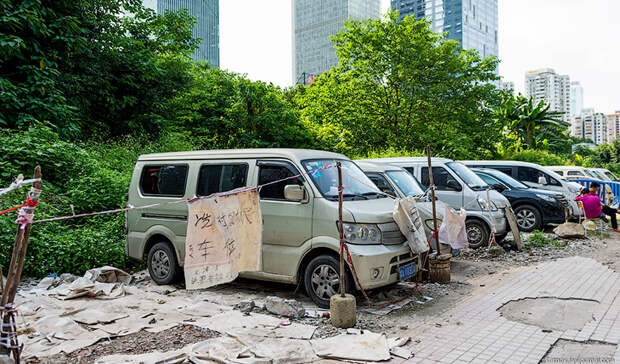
[286, 224]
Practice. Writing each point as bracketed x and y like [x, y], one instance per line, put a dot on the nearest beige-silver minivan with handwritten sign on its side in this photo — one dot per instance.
[300, 214]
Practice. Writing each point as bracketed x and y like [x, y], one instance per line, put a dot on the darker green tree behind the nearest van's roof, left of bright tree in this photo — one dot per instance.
[226, 110]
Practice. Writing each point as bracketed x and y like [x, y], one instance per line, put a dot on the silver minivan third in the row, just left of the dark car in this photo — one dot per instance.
[459, 187]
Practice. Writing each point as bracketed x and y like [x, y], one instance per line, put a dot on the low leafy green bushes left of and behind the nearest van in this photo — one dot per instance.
[91, 177]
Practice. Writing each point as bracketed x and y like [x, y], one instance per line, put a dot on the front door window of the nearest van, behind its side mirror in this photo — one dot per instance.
[273, 171]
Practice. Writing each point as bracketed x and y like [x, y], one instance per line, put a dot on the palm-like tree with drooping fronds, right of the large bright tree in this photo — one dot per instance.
[530, 126]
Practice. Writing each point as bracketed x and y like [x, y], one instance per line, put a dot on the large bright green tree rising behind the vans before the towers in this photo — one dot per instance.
[399, 84]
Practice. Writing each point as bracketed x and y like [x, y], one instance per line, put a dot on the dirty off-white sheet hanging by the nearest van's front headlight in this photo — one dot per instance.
[409, 222]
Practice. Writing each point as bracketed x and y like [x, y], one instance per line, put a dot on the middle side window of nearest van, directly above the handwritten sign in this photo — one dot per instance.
[214, 178]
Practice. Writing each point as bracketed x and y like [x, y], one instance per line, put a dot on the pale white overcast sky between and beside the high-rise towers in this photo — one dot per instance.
[574, 37]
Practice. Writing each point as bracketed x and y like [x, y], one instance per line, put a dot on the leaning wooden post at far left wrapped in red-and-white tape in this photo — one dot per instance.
[18, 256]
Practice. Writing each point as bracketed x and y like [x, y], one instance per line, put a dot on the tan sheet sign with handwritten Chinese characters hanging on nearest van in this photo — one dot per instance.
[224, 237]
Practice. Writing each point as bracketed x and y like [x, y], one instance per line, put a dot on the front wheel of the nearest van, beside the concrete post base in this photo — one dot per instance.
[324, 269]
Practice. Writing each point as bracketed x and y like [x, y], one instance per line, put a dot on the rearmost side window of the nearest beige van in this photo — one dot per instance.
[164, 180]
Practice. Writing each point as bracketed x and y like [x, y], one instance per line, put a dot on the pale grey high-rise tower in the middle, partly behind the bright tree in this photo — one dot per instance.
[314, 22]
